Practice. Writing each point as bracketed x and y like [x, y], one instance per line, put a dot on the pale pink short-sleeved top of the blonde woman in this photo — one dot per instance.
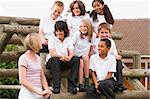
[33, 69]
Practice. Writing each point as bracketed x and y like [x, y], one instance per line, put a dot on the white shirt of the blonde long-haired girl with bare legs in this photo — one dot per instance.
[82, 45]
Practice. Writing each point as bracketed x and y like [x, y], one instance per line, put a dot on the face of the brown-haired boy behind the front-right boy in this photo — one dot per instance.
[104, 33]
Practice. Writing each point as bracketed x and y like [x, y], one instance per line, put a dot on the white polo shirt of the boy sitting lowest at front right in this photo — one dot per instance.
[102, 66]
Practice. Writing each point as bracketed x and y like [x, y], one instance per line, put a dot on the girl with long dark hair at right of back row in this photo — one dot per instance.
[100, 14]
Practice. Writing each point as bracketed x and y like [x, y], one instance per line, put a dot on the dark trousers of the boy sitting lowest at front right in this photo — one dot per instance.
[106, 88]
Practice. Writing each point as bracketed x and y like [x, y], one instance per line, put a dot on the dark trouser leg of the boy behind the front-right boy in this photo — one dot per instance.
[118, 74]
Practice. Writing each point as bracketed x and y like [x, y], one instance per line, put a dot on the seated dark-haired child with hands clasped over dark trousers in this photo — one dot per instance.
[61, 56]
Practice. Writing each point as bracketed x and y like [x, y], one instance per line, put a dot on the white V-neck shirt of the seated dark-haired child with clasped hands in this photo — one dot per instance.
[60, 47]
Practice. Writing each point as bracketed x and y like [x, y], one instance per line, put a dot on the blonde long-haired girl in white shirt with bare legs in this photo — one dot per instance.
[83, 42]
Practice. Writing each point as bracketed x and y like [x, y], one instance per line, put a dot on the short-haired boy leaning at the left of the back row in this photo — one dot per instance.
[46, 26]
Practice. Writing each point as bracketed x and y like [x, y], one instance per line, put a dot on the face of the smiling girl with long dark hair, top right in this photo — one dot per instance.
[98, 7]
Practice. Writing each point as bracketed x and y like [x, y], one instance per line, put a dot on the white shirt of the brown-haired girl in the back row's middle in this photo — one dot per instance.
[74, 22]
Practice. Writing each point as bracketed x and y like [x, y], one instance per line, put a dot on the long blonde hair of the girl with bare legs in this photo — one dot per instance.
[89, 27]
